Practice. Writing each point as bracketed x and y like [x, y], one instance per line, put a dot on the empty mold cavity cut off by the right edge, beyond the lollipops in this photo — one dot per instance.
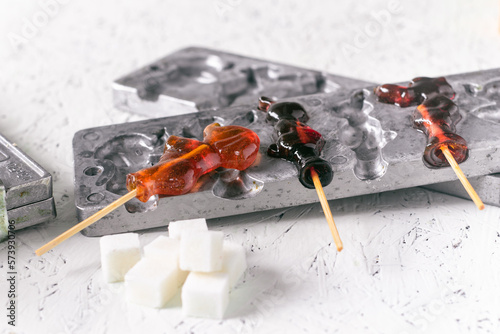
[481, 101]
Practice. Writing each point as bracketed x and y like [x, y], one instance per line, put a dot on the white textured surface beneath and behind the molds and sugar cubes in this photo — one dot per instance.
[414, 261]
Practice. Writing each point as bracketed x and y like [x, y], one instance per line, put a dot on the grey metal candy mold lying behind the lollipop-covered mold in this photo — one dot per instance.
[197, 78]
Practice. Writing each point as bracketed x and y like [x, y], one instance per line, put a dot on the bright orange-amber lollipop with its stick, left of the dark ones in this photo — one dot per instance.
[233, 147]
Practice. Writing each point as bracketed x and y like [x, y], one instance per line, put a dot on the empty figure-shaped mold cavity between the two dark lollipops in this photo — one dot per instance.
[364, 135]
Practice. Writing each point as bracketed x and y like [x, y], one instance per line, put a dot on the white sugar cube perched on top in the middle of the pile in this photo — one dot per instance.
[201, 251]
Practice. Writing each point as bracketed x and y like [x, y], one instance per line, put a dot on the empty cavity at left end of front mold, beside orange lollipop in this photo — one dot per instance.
[126, 154]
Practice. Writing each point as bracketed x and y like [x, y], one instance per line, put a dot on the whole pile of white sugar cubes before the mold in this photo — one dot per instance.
[192, 258]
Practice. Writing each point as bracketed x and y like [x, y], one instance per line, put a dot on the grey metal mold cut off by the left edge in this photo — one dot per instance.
[28, 187]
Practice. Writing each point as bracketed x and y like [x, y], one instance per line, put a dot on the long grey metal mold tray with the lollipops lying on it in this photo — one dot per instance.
[389, 157]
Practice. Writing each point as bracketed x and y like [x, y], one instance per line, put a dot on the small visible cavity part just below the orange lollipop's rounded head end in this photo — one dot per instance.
[234, 184]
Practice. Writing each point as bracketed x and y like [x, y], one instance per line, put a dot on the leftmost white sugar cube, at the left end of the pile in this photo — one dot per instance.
[119, 253]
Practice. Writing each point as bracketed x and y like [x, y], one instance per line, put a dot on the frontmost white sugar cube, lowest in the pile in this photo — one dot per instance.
[205, 295]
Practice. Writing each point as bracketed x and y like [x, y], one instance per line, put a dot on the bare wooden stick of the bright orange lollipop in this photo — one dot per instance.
[87, 222]
